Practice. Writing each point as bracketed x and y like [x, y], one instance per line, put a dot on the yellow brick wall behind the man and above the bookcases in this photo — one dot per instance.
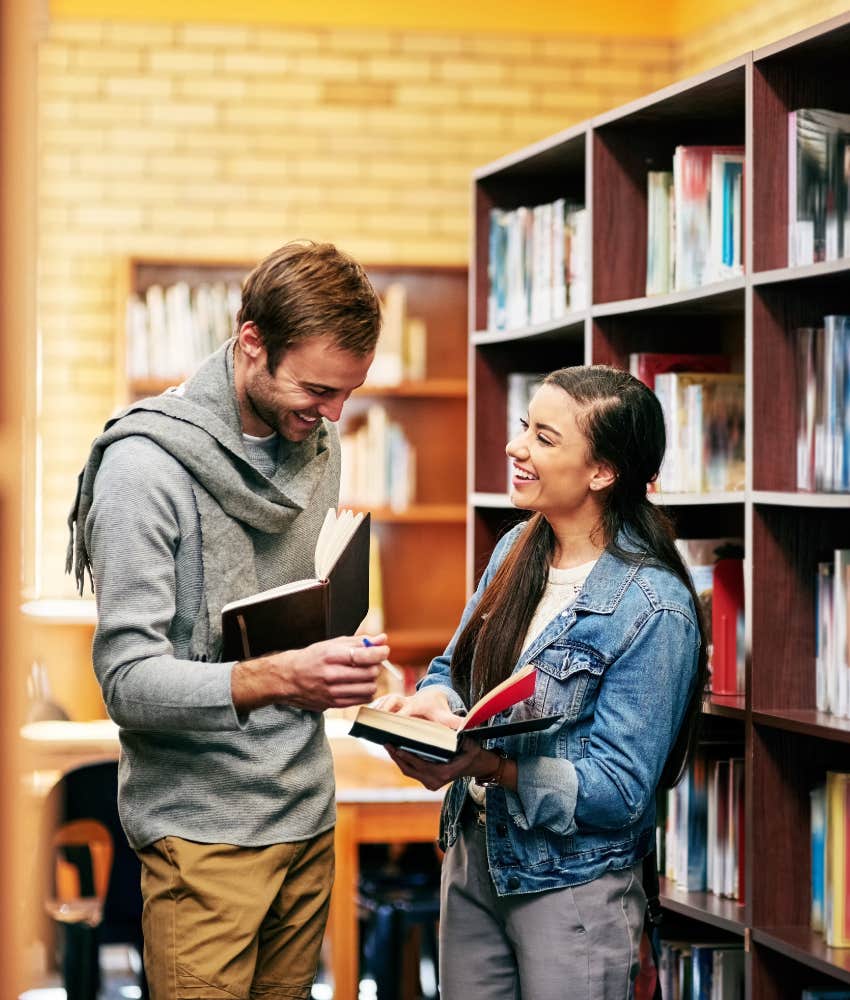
[223, 140]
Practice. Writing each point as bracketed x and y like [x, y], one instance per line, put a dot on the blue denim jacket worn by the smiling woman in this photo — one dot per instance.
[619, 665]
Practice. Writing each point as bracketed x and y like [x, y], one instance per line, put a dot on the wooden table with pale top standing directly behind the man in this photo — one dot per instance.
[376, 804]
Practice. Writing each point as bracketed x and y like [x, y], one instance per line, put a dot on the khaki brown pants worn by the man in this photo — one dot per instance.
[224, 922]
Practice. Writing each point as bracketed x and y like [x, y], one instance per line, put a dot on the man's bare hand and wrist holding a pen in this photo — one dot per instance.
[336, 673]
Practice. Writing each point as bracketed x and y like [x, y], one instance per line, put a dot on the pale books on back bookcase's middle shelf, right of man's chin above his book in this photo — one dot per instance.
[378, 463]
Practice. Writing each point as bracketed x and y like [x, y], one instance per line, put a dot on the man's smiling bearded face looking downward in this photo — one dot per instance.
[313, 380]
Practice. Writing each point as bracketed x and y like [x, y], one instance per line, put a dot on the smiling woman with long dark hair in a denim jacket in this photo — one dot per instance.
[545, 833]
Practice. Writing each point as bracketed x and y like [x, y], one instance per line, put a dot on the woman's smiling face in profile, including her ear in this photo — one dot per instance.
[552, 470]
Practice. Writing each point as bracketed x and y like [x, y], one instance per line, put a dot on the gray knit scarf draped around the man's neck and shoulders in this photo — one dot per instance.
[198, 424]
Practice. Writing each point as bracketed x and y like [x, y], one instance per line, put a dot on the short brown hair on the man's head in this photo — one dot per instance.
[306, 289]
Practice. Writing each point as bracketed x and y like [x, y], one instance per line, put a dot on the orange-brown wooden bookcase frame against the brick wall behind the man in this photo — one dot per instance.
[422, 547]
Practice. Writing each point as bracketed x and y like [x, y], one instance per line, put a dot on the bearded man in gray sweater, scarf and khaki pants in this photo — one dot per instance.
[205, 494]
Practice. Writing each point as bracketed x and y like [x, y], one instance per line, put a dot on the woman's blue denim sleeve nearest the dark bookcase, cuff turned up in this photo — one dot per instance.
[640, 706]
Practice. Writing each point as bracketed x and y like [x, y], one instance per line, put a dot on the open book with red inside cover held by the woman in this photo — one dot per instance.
[434, 741]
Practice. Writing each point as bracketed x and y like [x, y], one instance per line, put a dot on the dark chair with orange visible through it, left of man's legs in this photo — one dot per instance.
[94, 892]
